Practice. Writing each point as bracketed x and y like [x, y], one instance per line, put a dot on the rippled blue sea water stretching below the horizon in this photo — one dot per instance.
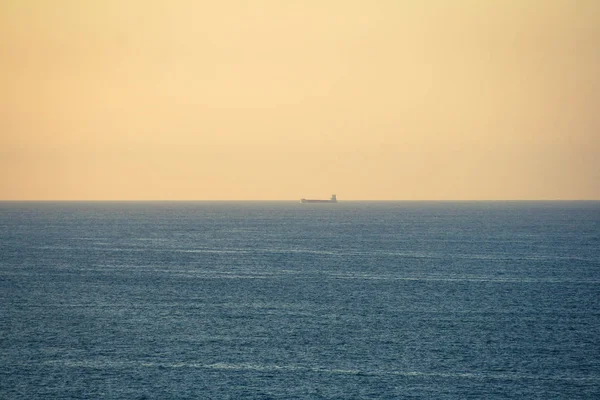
[281, 300]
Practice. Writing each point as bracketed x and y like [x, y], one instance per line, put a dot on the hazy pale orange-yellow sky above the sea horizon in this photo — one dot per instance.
[282, 99]
